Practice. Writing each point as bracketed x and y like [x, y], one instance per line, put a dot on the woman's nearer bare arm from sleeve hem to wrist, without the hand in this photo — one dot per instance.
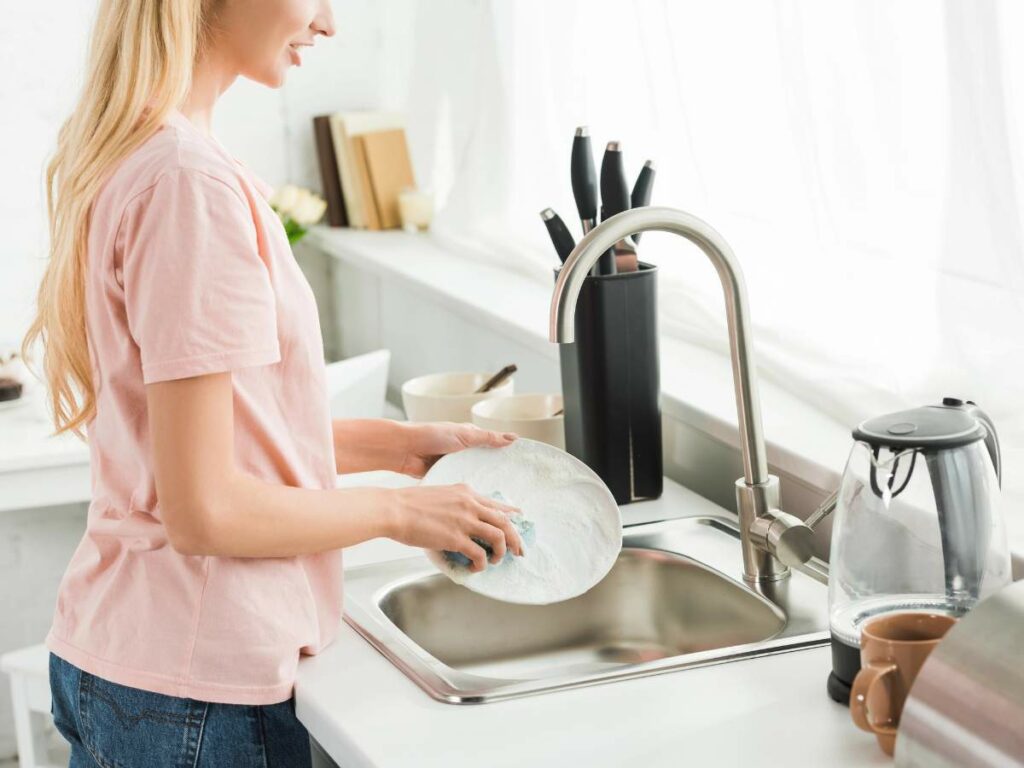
[212, 507]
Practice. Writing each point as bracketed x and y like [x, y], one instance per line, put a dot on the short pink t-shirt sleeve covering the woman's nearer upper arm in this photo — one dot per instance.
[198, 295]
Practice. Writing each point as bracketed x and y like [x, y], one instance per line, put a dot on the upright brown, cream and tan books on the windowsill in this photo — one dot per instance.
[365, 164]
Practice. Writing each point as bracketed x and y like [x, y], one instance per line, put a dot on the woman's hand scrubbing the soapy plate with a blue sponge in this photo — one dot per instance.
[448, 518]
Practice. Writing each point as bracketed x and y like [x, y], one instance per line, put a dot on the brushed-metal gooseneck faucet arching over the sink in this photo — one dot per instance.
[772, 540]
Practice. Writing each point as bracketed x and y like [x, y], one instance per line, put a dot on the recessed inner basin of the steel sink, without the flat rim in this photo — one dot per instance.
[652, 606]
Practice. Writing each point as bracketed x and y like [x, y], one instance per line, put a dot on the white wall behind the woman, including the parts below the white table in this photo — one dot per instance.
[42, 48]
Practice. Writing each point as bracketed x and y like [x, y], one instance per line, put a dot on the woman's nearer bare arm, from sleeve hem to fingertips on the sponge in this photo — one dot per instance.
[210, 507]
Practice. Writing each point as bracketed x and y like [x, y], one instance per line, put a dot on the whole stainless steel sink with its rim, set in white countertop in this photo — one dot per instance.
[674, 600]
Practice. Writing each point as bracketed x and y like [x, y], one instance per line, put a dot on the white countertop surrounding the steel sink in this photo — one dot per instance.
[771, 711]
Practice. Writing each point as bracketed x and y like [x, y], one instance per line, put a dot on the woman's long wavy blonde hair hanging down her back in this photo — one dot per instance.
[140, 69]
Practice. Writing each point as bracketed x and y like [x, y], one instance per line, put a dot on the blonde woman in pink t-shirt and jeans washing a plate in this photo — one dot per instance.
[180, 333]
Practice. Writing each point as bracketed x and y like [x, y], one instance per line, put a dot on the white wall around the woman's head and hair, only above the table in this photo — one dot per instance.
[42, 51]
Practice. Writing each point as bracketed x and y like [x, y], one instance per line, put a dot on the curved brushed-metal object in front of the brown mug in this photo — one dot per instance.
[967, 706]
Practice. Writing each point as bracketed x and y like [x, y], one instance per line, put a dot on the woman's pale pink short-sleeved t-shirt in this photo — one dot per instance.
[190, 273]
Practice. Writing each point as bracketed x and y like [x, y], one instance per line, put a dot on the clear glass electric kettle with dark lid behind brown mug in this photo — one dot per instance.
[918, 525]
